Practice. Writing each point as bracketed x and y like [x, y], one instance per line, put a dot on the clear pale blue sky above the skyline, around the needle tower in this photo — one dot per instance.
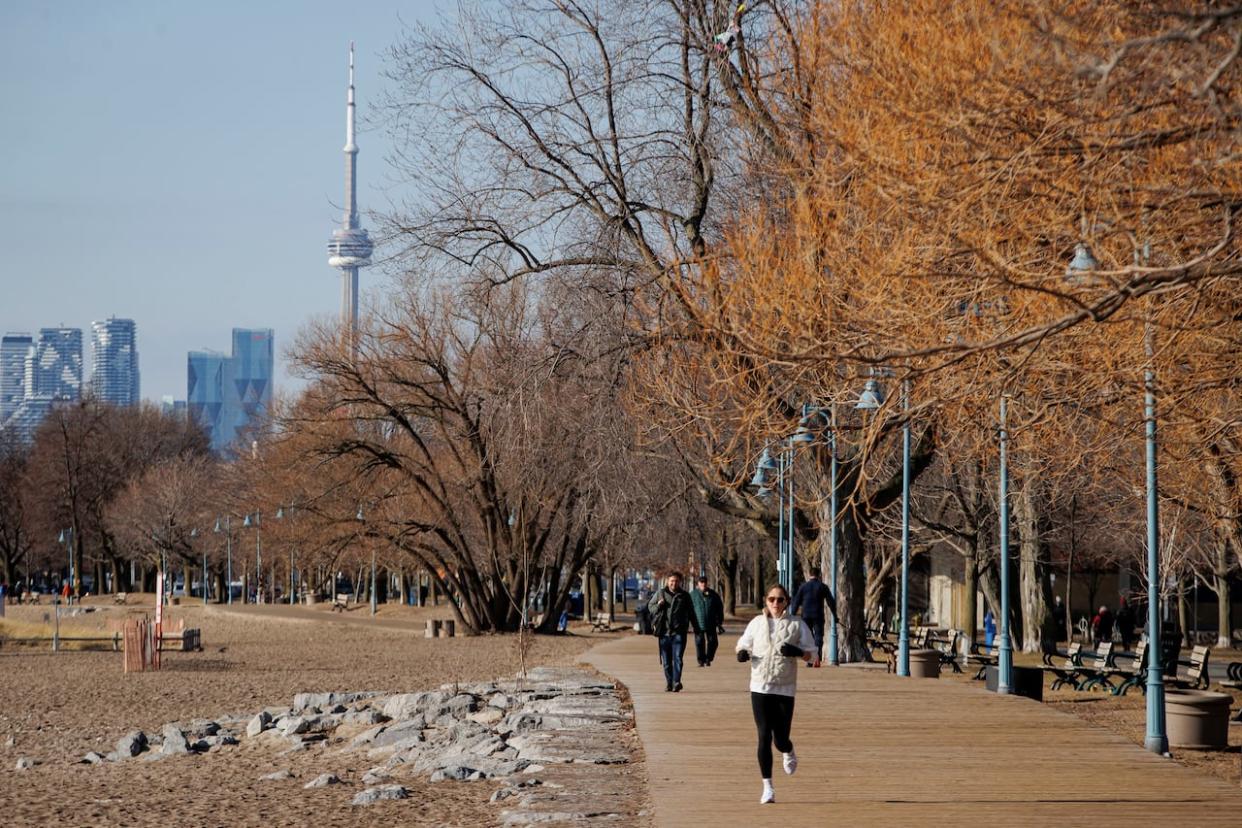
[179, 164]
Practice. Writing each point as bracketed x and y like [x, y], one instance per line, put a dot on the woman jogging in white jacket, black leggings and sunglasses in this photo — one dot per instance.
[773, 644]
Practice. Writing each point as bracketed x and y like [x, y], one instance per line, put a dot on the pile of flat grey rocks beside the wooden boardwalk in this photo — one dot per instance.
[506, 731]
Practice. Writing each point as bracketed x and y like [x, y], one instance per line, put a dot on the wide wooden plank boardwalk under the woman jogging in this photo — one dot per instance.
[875, 749]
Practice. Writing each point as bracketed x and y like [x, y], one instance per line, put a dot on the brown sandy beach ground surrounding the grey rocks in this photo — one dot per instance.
[55, 708]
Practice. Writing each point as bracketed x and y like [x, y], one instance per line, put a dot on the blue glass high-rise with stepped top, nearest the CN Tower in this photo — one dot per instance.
[230, 395]
